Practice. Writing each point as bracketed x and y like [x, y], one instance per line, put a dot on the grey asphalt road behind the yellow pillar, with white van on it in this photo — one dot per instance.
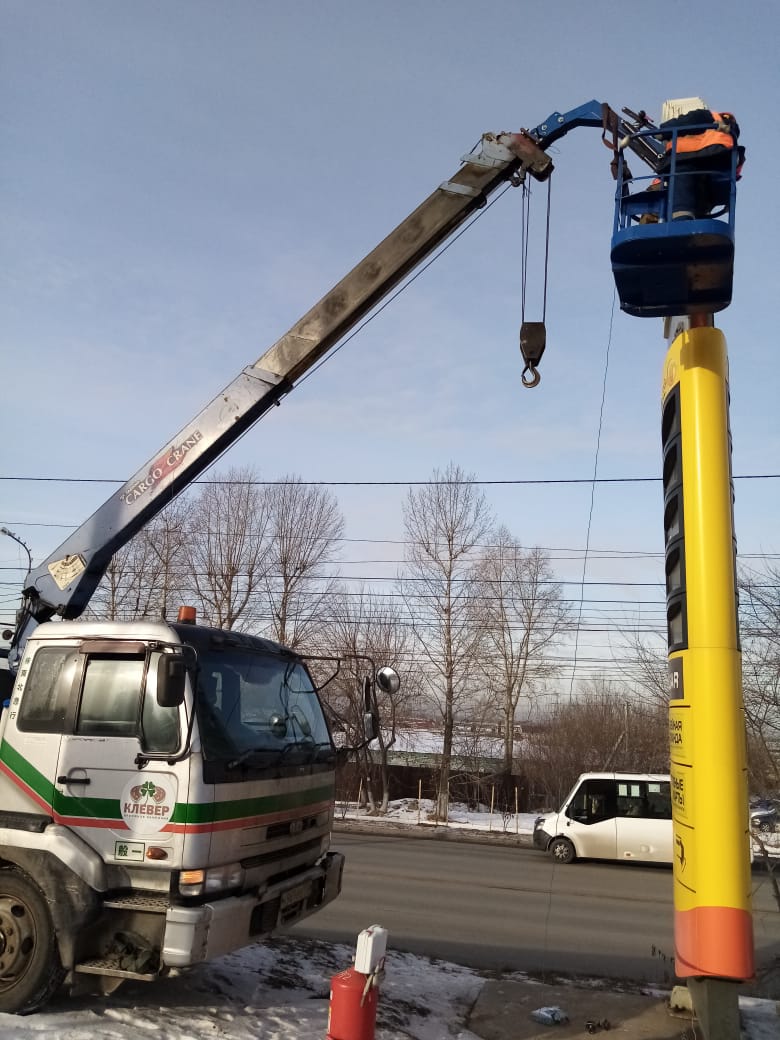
[508, 909]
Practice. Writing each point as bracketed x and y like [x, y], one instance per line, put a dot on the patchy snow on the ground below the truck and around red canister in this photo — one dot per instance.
[277, 991]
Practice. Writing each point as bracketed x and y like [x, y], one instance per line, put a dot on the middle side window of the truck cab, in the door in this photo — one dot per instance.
[111, 698]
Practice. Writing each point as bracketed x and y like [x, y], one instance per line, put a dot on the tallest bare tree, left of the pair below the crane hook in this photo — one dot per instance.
[445, 522]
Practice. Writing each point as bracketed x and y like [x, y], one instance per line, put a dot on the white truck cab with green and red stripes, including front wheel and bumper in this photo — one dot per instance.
[167, 796]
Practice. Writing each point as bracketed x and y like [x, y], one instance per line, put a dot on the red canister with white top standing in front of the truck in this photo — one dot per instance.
[355, 993]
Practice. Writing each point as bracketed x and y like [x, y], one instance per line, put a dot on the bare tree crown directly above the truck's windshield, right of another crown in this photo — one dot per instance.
[306, 528]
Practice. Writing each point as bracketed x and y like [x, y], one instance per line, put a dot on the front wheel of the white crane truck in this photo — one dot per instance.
[31, 971]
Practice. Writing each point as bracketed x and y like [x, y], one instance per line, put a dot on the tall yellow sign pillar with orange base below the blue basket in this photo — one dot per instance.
[714, 930]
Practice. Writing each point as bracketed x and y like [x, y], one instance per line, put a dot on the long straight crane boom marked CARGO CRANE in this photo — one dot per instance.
[65, 583]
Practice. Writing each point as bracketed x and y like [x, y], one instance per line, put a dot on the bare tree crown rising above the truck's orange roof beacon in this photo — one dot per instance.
[227, 550]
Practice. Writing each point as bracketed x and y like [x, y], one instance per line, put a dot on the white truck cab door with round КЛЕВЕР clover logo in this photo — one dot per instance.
[118, 804]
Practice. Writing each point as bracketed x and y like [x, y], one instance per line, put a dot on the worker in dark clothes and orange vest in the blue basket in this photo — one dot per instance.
[704, 149]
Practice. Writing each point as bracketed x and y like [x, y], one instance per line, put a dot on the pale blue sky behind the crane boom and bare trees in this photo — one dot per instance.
[183, 181]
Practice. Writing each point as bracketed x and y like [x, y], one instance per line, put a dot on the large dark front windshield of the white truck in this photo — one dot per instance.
[255, 709]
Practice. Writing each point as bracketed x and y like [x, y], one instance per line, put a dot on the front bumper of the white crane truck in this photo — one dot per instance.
[200, 933]
